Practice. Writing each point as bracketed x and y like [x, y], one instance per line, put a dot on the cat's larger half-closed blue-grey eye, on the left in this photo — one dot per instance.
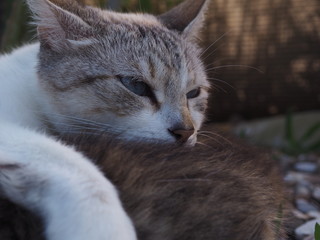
[136, 86]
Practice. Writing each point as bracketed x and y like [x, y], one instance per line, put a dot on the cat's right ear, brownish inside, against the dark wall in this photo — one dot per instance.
[186, 18]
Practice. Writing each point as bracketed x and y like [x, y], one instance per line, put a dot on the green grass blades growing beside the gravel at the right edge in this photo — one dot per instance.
[295, 146]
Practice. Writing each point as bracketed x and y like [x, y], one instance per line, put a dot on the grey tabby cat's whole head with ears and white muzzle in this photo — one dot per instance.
[136, 75]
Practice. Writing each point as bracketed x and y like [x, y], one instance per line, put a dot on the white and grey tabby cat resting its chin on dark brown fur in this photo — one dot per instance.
[132, 75]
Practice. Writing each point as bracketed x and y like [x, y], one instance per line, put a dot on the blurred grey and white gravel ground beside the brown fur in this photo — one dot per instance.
[302, 178]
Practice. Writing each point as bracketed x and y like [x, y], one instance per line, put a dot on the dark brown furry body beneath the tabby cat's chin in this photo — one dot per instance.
[221, 190]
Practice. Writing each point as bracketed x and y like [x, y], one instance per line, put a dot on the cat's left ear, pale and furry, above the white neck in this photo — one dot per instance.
[58, 28]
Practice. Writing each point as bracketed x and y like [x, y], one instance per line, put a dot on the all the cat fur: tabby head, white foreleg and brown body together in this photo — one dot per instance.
[135, 76]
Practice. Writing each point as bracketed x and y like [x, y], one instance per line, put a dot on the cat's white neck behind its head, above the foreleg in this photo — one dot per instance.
[20, 98]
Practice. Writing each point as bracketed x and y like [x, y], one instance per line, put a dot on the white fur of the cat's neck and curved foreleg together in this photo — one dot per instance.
[75, 200]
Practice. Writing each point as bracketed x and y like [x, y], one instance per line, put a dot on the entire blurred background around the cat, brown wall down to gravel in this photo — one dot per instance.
[263, 60]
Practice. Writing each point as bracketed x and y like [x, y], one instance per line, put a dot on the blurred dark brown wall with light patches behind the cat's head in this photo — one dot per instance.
[265, 58]
